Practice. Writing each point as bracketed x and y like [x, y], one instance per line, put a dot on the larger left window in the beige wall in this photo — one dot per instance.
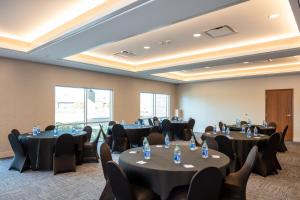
[81, 105]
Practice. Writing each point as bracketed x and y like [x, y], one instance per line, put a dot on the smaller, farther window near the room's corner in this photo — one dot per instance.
[154, 105]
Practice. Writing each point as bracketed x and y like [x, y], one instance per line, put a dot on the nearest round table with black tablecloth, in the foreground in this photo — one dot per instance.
[161, 174]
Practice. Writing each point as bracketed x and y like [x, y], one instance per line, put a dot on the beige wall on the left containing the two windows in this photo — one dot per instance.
[27, 94]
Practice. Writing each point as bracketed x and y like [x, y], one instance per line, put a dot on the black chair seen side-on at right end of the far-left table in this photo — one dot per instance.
[90, 148]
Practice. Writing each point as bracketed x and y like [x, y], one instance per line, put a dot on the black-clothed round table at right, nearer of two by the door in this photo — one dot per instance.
[241, 144]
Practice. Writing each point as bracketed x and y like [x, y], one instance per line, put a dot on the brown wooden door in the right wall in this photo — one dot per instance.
[279, 109]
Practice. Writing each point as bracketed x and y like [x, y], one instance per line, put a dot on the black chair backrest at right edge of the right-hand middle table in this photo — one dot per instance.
[272, 145]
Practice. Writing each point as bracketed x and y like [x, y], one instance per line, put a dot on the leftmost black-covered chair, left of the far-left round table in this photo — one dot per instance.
[21, 160]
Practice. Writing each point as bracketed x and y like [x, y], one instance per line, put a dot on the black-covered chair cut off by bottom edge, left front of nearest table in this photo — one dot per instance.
[121, 187]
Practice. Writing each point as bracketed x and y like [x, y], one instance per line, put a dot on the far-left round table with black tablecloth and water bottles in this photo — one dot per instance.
[40, 148]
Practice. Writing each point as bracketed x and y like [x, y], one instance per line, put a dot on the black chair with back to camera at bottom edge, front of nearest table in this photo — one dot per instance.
[205, 184]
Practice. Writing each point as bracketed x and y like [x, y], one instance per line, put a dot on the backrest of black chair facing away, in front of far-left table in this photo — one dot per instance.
[64, 145]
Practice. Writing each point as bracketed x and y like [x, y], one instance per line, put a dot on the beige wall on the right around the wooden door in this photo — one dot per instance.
[227, 100]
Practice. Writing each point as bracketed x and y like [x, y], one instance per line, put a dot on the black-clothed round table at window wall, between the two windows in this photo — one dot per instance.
[135, 133]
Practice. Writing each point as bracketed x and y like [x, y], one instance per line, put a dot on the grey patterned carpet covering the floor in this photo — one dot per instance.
[88, 182]
